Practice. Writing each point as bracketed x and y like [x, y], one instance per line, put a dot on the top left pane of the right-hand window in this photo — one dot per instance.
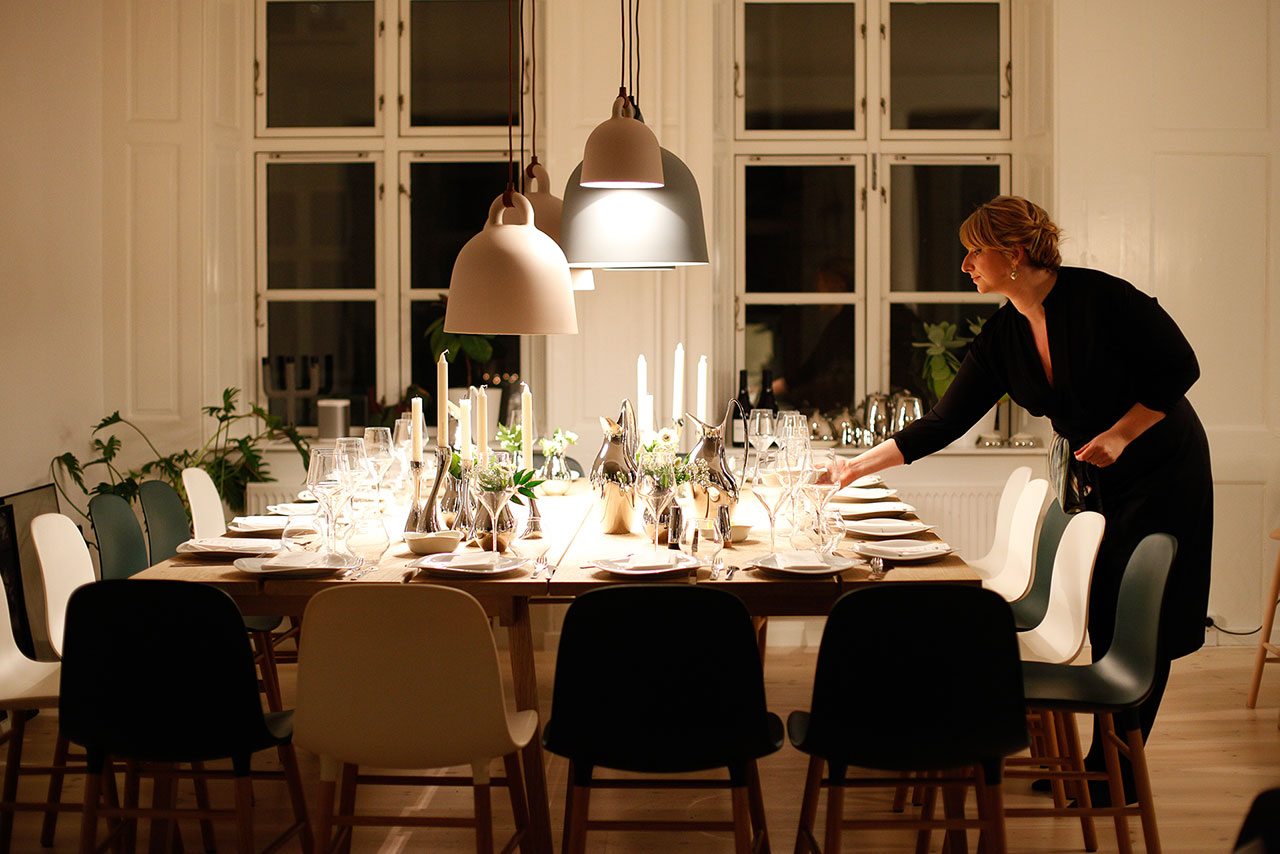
[790, 83]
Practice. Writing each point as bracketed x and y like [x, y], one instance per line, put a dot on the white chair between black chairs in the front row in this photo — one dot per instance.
[431, 697]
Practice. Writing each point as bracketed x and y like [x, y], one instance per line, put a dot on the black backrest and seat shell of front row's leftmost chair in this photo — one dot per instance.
[161, 672]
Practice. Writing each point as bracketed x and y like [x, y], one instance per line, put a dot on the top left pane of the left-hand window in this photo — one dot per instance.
[321, 65]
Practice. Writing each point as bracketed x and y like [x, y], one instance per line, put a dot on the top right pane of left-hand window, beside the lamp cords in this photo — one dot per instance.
[459, 75]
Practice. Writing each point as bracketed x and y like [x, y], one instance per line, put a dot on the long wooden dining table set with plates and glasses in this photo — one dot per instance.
[573, 542]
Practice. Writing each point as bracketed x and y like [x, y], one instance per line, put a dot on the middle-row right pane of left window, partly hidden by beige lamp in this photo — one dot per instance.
[450, 207]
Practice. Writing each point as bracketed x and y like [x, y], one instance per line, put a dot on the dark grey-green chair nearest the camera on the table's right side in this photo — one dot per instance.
[1112, 688]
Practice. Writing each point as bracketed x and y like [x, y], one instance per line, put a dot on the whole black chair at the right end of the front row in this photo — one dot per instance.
[913, 678]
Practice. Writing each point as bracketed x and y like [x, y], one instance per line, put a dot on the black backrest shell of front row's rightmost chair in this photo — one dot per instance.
[918, 677]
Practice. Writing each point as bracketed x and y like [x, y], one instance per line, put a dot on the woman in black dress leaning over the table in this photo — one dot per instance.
[1110, 369]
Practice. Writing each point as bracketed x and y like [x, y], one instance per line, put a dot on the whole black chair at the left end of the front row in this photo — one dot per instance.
[161, 673]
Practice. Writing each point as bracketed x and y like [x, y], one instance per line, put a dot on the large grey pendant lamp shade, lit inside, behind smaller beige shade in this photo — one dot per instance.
[636, 230]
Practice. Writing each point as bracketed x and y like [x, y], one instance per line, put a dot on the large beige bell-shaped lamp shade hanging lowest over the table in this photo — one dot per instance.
[511, 280]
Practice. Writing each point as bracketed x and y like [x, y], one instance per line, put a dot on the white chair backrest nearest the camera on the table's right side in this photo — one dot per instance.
[1060, 636]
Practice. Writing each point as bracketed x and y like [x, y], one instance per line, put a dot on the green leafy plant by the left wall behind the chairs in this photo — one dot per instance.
[234, 463]
